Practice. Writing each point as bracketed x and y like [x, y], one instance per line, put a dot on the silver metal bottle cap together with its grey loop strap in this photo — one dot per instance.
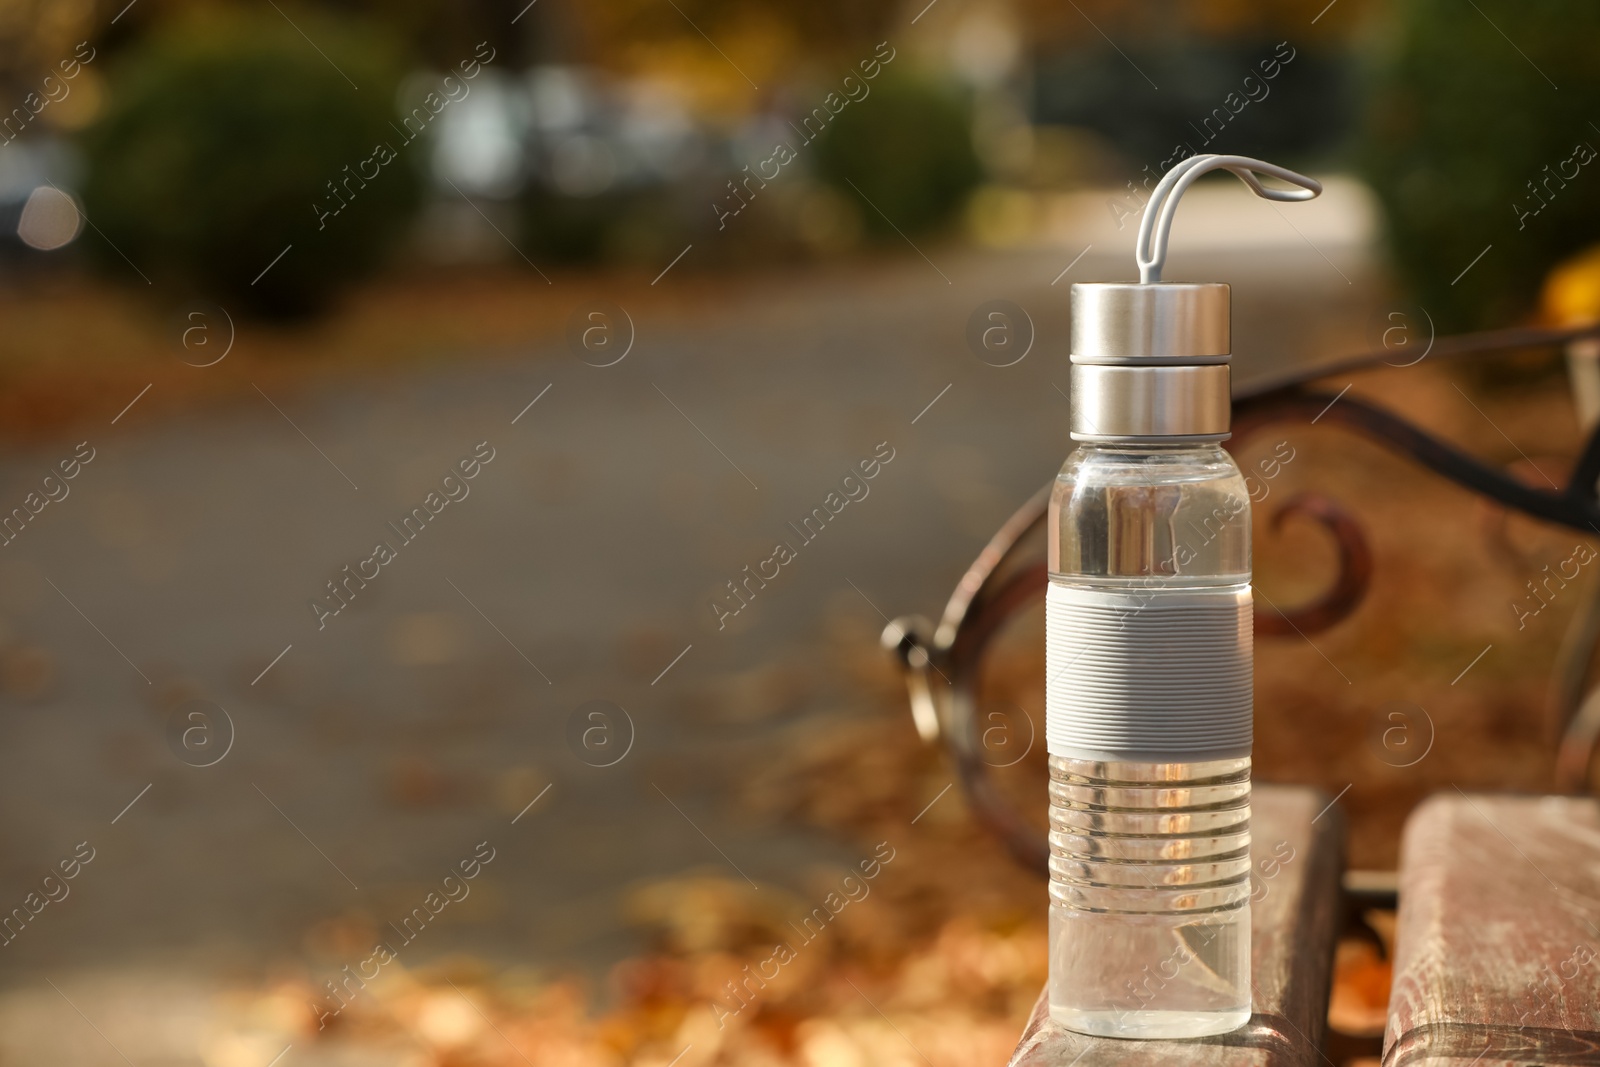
[1150, 359]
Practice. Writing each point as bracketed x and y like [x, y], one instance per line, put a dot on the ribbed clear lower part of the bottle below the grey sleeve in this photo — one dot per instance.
[1150, 917]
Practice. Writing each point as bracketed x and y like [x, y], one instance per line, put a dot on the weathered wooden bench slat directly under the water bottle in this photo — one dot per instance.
[1294, 929]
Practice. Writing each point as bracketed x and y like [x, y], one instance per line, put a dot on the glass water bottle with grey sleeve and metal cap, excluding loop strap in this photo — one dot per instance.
[1150, 676]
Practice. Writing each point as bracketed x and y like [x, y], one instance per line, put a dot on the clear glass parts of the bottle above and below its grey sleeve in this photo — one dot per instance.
[1150, 857]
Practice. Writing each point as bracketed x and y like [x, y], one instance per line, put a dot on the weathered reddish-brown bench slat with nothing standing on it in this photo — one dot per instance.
[1498, 946]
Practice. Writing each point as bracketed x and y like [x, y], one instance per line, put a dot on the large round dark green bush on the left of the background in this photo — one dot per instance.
[217, 153]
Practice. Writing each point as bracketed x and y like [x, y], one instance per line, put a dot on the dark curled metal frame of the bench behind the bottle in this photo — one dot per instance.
[943, 665]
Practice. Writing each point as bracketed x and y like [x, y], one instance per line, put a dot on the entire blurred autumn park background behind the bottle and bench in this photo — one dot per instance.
[676, 266]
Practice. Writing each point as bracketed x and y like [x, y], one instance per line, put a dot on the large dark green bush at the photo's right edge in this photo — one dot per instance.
[1460, 121]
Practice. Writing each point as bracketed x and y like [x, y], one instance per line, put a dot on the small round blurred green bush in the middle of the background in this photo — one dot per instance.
[908, 148]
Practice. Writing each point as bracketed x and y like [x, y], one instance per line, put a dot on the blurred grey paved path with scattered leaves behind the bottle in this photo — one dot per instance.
[425, 717]
